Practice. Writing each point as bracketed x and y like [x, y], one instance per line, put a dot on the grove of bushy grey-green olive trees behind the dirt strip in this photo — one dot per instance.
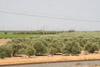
[69, 43]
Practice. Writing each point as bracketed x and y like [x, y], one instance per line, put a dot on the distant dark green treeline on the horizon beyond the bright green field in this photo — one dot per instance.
[34, 32]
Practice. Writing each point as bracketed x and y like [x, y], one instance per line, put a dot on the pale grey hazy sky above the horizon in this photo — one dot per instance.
[70, 9]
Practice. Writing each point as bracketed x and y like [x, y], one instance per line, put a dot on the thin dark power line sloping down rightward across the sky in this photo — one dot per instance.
[47, 16]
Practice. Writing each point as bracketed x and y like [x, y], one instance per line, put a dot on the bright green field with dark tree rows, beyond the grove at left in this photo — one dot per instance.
[24, 34]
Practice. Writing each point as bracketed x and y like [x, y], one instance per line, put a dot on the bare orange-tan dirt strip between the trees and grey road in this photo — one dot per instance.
[47, 59]
